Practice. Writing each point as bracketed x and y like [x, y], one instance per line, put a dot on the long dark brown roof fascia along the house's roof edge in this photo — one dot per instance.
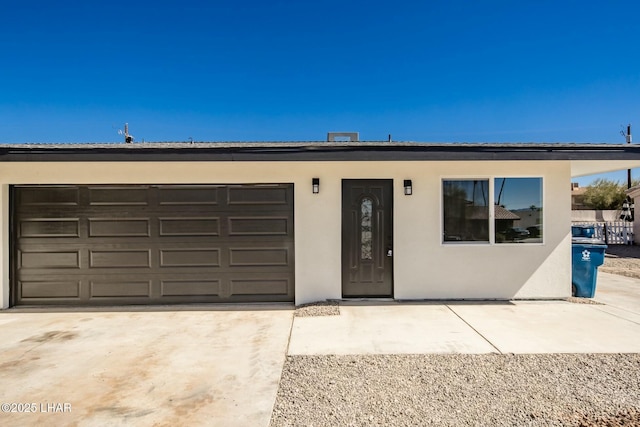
[318, 152]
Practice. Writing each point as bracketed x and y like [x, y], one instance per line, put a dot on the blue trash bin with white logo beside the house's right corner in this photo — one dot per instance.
[587, 256]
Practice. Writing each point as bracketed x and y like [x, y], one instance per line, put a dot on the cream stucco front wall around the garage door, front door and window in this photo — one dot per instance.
[424, 267]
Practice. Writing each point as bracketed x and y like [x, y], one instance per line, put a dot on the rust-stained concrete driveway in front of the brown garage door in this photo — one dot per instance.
[142, 366]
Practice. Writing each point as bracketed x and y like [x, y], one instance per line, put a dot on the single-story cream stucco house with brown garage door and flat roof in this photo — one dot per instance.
[159, 223]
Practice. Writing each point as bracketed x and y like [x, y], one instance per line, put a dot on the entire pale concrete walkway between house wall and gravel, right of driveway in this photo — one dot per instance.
[480, 327]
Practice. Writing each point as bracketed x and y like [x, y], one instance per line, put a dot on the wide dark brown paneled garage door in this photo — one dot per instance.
[152, 244]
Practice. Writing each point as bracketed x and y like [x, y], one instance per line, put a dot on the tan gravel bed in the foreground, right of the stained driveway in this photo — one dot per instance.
[455, 390]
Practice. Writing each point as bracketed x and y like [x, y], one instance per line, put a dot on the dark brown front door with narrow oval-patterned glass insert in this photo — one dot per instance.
[367, 238]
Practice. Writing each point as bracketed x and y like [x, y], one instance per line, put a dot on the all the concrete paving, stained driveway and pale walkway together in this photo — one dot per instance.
[221, 366]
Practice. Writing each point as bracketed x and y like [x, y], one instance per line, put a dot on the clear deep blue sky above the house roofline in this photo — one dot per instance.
[454, 71]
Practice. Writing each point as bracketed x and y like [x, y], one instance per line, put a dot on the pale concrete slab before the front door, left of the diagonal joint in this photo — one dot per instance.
[390, 328]
